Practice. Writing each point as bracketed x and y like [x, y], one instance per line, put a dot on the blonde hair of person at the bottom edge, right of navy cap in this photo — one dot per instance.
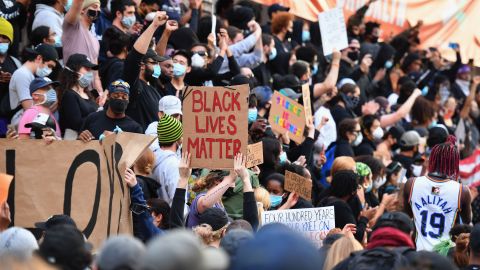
[340, 250]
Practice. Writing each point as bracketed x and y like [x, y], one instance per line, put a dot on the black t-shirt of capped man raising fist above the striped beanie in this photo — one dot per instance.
[143, 103]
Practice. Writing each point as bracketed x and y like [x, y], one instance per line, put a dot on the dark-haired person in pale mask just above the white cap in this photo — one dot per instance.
[182, 64]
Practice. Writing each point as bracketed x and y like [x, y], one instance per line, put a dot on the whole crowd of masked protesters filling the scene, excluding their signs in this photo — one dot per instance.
[380, 148]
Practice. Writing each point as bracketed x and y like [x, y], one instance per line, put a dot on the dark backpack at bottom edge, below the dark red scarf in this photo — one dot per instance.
[379, 259]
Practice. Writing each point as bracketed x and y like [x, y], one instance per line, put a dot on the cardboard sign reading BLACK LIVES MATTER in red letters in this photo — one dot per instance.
[215, 125]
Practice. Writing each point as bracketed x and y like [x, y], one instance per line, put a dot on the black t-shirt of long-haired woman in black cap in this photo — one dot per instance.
[74, 109]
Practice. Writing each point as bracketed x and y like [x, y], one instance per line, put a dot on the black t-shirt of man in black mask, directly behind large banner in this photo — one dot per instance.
[99, 122]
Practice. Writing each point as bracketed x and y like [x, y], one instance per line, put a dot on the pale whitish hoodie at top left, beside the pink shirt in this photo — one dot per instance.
[48, 16]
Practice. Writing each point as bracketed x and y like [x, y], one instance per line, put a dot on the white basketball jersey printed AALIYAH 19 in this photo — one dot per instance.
[435, 205]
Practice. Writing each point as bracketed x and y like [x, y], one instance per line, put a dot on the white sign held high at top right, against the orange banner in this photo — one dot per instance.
[333, 30]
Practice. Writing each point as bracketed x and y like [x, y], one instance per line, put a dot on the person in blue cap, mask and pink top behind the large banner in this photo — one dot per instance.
[43, 96]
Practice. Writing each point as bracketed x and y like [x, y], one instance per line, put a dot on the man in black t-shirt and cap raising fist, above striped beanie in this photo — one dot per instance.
[142, 70]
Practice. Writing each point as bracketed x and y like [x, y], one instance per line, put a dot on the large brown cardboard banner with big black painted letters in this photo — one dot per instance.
[82, 180]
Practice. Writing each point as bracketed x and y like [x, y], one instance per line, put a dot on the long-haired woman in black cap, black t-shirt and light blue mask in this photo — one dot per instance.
[75, 100]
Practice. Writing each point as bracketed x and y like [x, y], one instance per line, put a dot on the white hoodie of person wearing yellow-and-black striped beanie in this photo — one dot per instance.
[166, 173]
